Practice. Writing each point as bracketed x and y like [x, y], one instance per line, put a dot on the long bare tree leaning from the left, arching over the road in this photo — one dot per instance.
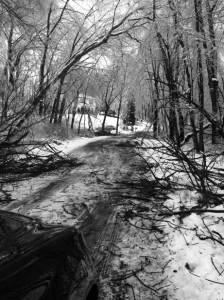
[96, 35]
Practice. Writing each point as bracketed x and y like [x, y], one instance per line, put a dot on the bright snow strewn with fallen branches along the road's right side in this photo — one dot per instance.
[180, 257]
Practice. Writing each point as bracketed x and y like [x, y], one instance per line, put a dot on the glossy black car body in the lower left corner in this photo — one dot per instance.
[40, 261]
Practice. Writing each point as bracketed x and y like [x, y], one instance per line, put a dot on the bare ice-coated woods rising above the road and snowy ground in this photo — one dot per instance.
[164, 54]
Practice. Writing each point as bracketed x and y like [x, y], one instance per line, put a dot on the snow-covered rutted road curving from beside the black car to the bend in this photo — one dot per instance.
[87, 196]
